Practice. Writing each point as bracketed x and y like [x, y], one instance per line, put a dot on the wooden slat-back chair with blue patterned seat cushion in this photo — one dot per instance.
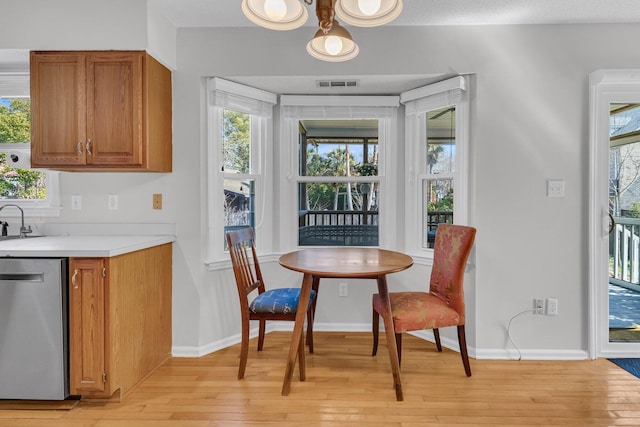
[272, 304]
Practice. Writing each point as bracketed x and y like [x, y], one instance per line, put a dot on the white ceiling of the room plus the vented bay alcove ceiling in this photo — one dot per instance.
[227, 13]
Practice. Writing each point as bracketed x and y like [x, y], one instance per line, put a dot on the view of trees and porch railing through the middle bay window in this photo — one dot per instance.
[339, 211]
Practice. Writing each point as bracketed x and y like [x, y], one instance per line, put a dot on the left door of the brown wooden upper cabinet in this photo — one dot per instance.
[58, 100]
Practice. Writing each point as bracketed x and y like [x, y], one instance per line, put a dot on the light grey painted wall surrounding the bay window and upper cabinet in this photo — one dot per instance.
[529, 124]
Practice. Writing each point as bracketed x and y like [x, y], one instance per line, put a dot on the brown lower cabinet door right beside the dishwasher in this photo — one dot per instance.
[87, 326]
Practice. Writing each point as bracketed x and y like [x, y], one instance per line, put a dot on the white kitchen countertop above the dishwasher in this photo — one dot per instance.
[80, 246]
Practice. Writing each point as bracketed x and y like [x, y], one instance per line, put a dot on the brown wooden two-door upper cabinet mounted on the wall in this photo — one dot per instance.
[100, 111]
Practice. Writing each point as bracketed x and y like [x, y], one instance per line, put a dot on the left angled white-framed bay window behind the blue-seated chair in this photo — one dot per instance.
[240, 125]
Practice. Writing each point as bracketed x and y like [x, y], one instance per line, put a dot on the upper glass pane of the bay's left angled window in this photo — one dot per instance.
[236, 142]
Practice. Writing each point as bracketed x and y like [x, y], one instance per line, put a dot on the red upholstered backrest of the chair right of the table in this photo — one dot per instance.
[452, 247]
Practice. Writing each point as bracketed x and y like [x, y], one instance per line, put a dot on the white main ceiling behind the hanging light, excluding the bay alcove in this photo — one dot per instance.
[227, 13]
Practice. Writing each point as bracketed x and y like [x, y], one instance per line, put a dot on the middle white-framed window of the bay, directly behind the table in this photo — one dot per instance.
[335, 154]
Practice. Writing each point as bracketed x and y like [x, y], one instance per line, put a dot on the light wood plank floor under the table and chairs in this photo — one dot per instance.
[345, 386]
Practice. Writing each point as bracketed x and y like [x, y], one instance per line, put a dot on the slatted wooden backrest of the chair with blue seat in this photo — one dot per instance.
[244, 258]
